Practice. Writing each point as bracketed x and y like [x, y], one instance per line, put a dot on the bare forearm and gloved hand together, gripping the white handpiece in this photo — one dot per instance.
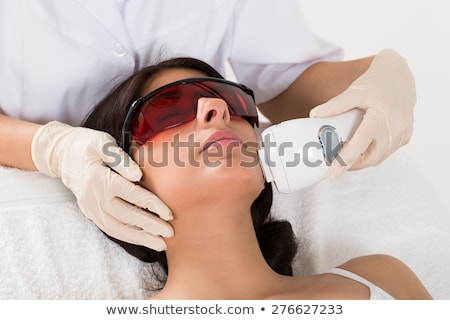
[383, 86]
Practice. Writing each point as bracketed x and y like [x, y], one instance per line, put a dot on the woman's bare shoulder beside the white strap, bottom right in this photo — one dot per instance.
[390, 274]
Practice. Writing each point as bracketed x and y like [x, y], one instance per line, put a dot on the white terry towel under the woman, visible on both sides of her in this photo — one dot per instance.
[49, 250]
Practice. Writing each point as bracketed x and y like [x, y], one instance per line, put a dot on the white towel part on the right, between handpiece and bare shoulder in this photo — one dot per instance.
[388, 209]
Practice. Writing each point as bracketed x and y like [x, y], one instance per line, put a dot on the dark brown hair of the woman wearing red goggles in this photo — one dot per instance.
[275, 237]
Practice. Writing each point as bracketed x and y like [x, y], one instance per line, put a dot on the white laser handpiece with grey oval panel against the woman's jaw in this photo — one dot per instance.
[296, 153]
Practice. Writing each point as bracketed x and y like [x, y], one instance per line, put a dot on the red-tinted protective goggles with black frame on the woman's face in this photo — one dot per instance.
[176, 103]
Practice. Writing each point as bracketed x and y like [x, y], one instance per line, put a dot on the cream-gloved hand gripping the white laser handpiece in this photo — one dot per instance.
[386, 91]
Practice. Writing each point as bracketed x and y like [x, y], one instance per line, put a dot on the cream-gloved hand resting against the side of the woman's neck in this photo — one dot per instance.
[108, 197]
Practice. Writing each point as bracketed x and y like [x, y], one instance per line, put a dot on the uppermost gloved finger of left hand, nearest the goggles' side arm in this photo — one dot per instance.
[114, 157]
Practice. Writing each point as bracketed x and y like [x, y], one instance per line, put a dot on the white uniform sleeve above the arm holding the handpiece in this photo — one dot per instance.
[272, 45]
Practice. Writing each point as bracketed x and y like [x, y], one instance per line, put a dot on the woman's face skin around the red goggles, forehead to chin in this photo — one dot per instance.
[211, 160]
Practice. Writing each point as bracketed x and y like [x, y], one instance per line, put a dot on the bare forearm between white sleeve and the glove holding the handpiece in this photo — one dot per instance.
[316, 85]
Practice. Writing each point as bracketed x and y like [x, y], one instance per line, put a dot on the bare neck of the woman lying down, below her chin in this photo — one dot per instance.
[215, 255]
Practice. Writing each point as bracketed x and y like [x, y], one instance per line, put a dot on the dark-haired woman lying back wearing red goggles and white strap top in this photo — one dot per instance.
[195, 142]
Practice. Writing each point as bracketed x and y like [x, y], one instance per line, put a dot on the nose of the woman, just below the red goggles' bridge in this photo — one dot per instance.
[212, 112]
